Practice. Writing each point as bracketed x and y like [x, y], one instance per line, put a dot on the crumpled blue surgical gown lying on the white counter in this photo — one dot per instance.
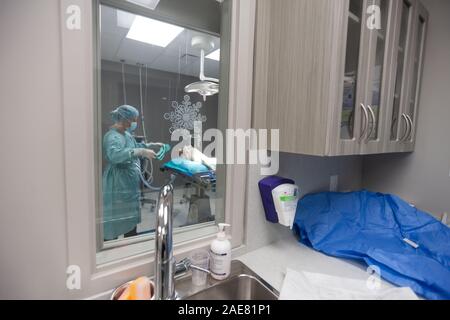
[371, 227]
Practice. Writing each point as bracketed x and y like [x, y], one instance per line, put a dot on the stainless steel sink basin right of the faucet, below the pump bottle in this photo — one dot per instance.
[243, 284]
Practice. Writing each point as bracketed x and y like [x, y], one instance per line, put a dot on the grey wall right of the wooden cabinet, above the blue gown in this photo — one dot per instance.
[423, 176]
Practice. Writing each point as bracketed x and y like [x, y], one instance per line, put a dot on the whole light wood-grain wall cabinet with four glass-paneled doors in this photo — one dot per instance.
[327, 72]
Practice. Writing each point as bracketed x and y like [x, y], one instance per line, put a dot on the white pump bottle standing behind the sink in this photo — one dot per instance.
[221, 254]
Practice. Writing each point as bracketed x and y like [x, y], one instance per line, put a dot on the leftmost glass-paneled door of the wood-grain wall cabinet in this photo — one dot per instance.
[352, 116]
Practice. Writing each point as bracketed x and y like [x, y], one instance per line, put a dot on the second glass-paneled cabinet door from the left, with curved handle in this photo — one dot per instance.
[377, 82]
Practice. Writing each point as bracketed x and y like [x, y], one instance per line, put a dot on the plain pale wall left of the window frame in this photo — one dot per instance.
[32, 196]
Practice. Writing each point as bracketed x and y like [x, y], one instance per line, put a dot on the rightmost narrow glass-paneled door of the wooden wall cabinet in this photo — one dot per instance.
[420, 21]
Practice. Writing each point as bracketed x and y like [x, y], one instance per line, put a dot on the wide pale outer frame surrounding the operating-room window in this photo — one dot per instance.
[78, 86]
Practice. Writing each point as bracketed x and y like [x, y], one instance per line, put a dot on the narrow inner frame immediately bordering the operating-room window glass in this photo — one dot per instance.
[109, 253]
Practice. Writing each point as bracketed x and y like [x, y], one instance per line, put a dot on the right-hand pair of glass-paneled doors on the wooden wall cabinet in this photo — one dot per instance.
[408, 52]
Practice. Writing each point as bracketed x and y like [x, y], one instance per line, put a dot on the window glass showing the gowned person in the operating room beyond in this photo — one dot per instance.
[148, 71]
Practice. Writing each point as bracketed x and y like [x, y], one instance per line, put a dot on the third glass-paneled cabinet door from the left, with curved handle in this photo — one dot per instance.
[398, 123]
